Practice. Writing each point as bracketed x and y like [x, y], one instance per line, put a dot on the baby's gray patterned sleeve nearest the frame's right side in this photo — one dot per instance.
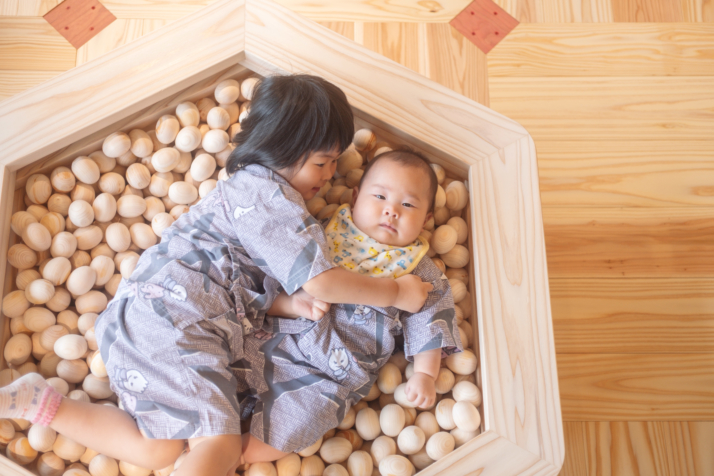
[434, 326]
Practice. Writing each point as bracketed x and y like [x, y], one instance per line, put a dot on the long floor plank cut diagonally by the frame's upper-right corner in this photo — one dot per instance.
[633, 108]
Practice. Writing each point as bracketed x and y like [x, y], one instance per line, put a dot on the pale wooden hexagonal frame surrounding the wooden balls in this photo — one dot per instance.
[56, 121]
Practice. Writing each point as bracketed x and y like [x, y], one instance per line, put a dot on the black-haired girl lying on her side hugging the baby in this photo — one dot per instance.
[172, 332]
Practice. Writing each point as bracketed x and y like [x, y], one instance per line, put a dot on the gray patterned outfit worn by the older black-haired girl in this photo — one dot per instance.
[172, 331]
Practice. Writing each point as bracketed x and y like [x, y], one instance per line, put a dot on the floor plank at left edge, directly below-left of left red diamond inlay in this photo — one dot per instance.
[32, 44]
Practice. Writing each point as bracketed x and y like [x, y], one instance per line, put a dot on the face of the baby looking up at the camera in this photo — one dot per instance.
[392, 204]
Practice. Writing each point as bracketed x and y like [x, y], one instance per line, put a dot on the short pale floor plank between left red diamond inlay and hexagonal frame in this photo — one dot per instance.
[117, 34]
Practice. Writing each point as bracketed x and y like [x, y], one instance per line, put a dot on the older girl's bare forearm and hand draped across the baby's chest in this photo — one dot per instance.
[338, 285]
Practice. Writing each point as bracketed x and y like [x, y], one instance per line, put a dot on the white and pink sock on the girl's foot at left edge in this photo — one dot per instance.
[30, 397]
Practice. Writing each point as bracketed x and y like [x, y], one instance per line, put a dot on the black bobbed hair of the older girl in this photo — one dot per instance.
[290, 117]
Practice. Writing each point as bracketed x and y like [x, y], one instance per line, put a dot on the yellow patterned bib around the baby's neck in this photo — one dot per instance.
[356, 251]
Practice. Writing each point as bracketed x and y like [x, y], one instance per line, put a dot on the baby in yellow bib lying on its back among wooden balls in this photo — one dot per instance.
[300, 377]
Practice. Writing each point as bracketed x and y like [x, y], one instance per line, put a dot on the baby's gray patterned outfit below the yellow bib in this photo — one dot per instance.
[300, 377]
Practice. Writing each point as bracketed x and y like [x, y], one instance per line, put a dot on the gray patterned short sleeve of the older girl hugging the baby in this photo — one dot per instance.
[276, 230]
